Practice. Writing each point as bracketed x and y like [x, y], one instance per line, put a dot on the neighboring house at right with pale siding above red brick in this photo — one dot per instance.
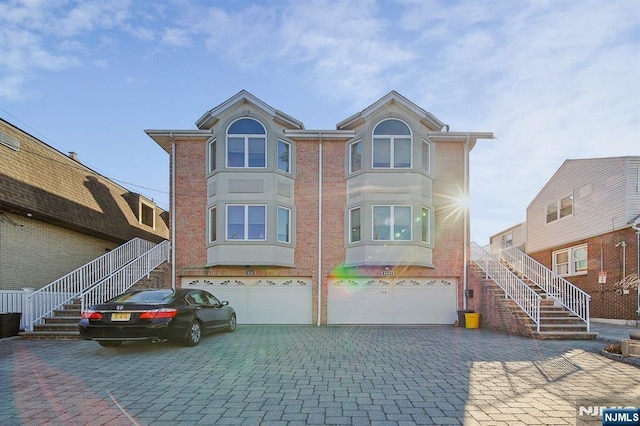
[584, 225]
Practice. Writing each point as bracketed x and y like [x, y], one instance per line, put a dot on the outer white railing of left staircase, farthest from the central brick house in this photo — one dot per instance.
[42, 302]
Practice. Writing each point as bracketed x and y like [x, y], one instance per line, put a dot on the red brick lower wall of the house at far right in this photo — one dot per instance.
[603, 255]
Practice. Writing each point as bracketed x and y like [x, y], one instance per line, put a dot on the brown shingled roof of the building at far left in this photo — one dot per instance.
[41, 182]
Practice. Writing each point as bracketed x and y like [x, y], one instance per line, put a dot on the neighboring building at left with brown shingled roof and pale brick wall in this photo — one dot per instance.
[57, 214]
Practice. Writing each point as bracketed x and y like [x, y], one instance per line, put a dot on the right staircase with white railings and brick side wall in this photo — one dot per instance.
[543, 316]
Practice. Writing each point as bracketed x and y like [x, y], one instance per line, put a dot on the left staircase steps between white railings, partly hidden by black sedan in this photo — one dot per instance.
[62, 322]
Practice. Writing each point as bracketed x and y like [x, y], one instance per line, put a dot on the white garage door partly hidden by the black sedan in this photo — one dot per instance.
[259, 300]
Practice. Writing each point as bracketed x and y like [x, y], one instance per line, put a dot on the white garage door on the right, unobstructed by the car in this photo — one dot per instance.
[392, 301]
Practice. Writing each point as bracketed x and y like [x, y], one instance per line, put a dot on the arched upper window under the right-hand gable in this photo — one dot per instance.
[392, 145]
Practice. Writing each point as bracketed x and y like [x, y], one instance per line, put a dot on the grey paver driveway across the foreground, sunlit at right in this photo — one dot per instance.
[312, 375]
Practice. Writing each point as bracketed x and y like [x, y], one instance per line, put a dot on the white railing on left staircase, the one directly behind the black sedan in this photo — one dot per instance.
[125, 277]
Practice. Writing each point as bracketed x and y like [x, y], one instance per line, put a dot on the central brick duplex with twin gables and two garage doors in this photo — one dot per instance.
[354, 225]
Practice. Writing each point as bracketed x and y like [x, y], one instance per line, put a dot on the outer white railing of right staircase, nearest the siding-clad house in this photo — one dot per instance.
[565, 293]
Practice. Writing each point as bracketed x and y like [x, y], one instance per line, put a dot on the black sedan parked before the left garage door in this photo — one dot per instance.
[157, 315]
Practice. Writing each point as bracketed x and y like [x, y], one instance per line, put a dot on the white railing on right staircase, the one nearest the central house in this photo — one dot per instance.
[514, 288]
